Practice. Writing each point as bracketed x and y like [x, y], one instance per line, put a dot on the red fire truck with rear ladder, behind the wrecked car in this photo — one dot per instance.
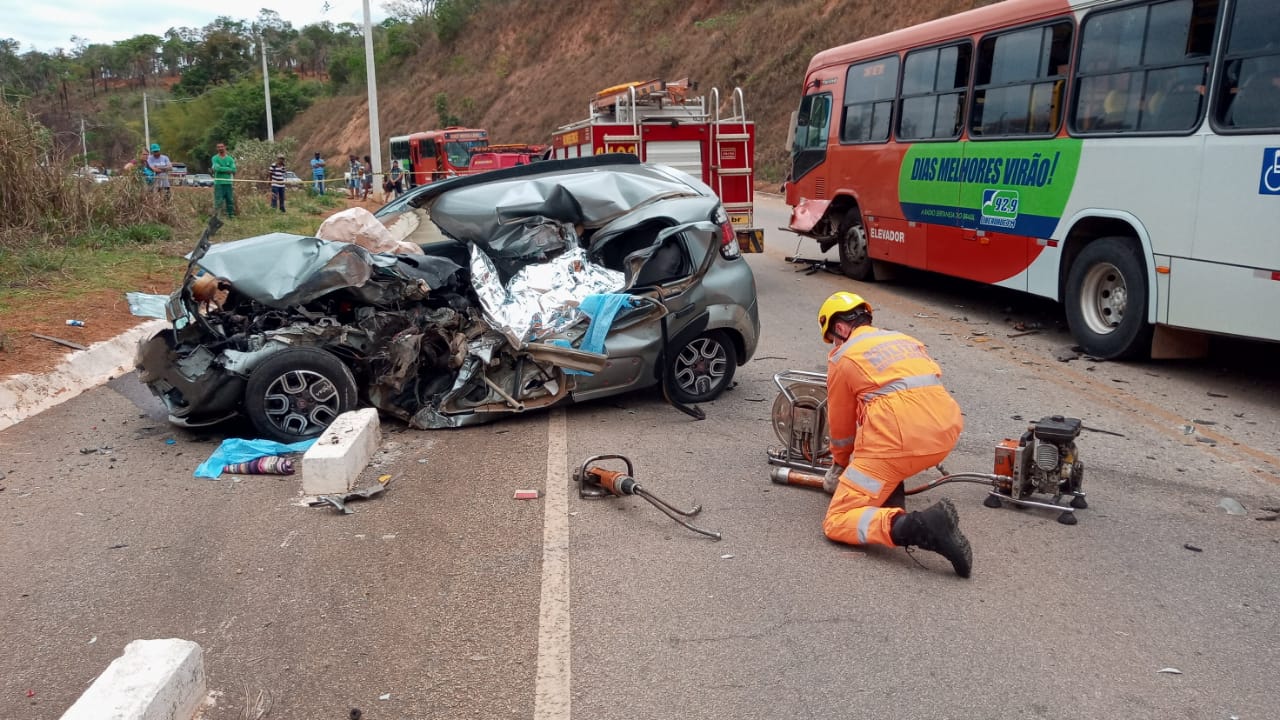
[662, 122]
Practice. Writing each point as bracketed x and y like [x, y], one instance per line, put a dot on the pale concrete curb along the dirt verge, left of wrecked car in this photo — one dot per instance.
[26, 395]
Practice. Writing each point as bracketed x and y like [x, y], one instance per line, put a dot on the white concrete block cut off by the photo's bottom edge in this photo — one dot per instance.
[162, 680]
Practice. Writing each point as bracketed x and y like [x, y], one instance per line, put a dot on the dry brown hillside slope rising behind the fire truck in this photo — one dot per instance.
[523, 69]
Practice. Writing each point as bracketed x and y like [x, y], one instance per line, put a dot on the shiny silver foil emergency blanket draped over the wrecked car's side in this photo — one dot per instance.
[542, 299]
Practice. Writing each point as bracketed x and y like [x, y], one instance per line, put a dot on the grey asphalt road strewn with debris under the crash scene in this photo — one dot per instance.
[459, 601]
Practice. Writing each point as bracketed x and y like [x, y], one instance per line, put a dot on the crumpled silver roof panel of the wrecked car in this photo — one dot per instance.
[479, 215]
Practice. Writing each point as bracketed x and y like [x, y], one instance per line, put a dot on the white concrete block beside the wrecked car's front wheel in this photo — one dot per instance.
[337, 458]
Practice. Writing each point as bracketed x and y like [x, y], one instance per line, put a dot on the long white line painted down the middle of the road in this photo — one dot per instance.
[552, 689]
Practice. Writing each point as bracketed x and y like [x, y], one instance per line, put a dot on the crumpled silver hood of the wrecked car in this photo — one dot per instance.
[282, 270]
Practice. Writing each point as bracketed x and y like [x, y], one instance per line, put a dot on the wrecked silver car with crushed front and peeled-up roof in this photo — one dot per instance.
[538, 285]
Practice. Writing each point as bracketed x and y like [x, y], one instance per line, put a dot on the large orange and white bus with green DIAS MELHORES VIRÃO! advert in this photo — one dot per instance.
[1122, 157]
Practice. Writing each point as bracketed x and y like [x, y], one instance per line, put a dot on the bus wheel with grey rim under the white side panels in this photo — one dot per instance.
[1107, 300]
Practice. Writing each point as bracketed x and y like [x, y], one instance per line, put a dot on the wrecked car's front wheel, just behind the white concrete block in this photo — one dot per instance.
[295, 394]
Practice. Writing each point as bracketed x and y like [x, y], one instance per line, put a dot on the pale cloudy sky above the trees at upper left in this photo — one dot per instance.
[45, 25]
